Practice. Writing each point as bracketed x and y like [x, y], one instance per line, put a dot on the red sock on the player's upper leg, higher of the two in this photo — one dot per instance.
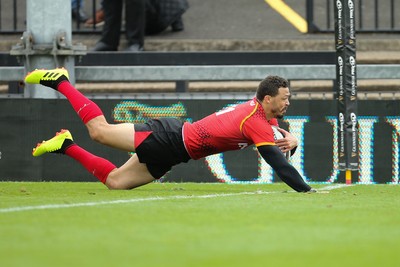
[85, 108]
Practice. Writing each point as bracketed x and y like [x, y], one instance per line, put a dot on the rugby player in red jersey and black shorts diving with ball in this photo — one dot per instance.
[159, 144]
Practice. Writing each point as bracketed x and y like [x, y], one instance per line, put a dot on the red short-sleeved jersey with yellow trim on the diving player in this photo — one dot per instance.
[232, 128]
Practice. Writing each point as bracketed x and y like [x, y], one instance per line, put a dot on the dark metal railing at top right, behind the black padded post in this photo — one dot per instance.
[372, 16]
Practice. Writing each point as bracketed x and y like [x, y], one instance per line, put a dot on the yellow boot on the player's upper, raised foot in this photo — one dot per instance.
[51, 78]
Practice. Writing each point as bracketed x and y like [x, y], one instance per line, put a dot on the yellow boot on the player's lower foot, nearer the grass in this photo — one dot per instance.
[57, 144]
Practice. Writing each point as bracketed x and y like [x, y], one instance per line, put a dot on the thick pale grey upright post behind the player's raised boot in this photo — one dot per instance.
[45, 19]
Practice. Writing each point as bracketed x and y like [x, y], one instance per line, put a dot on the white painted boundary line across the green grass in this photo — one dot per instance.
[133, 200]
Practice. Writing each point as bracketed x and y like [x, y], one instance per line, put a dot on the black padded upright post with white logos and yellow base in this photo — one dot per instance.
[347, 86]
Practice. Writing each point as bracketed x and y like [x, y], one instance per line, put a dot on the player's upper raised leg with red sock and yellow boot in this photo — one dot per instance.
[118, 136]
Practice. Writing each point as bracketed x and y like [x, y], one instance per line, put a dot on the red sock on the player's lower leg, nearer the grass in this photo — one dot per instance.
[97, 166]
